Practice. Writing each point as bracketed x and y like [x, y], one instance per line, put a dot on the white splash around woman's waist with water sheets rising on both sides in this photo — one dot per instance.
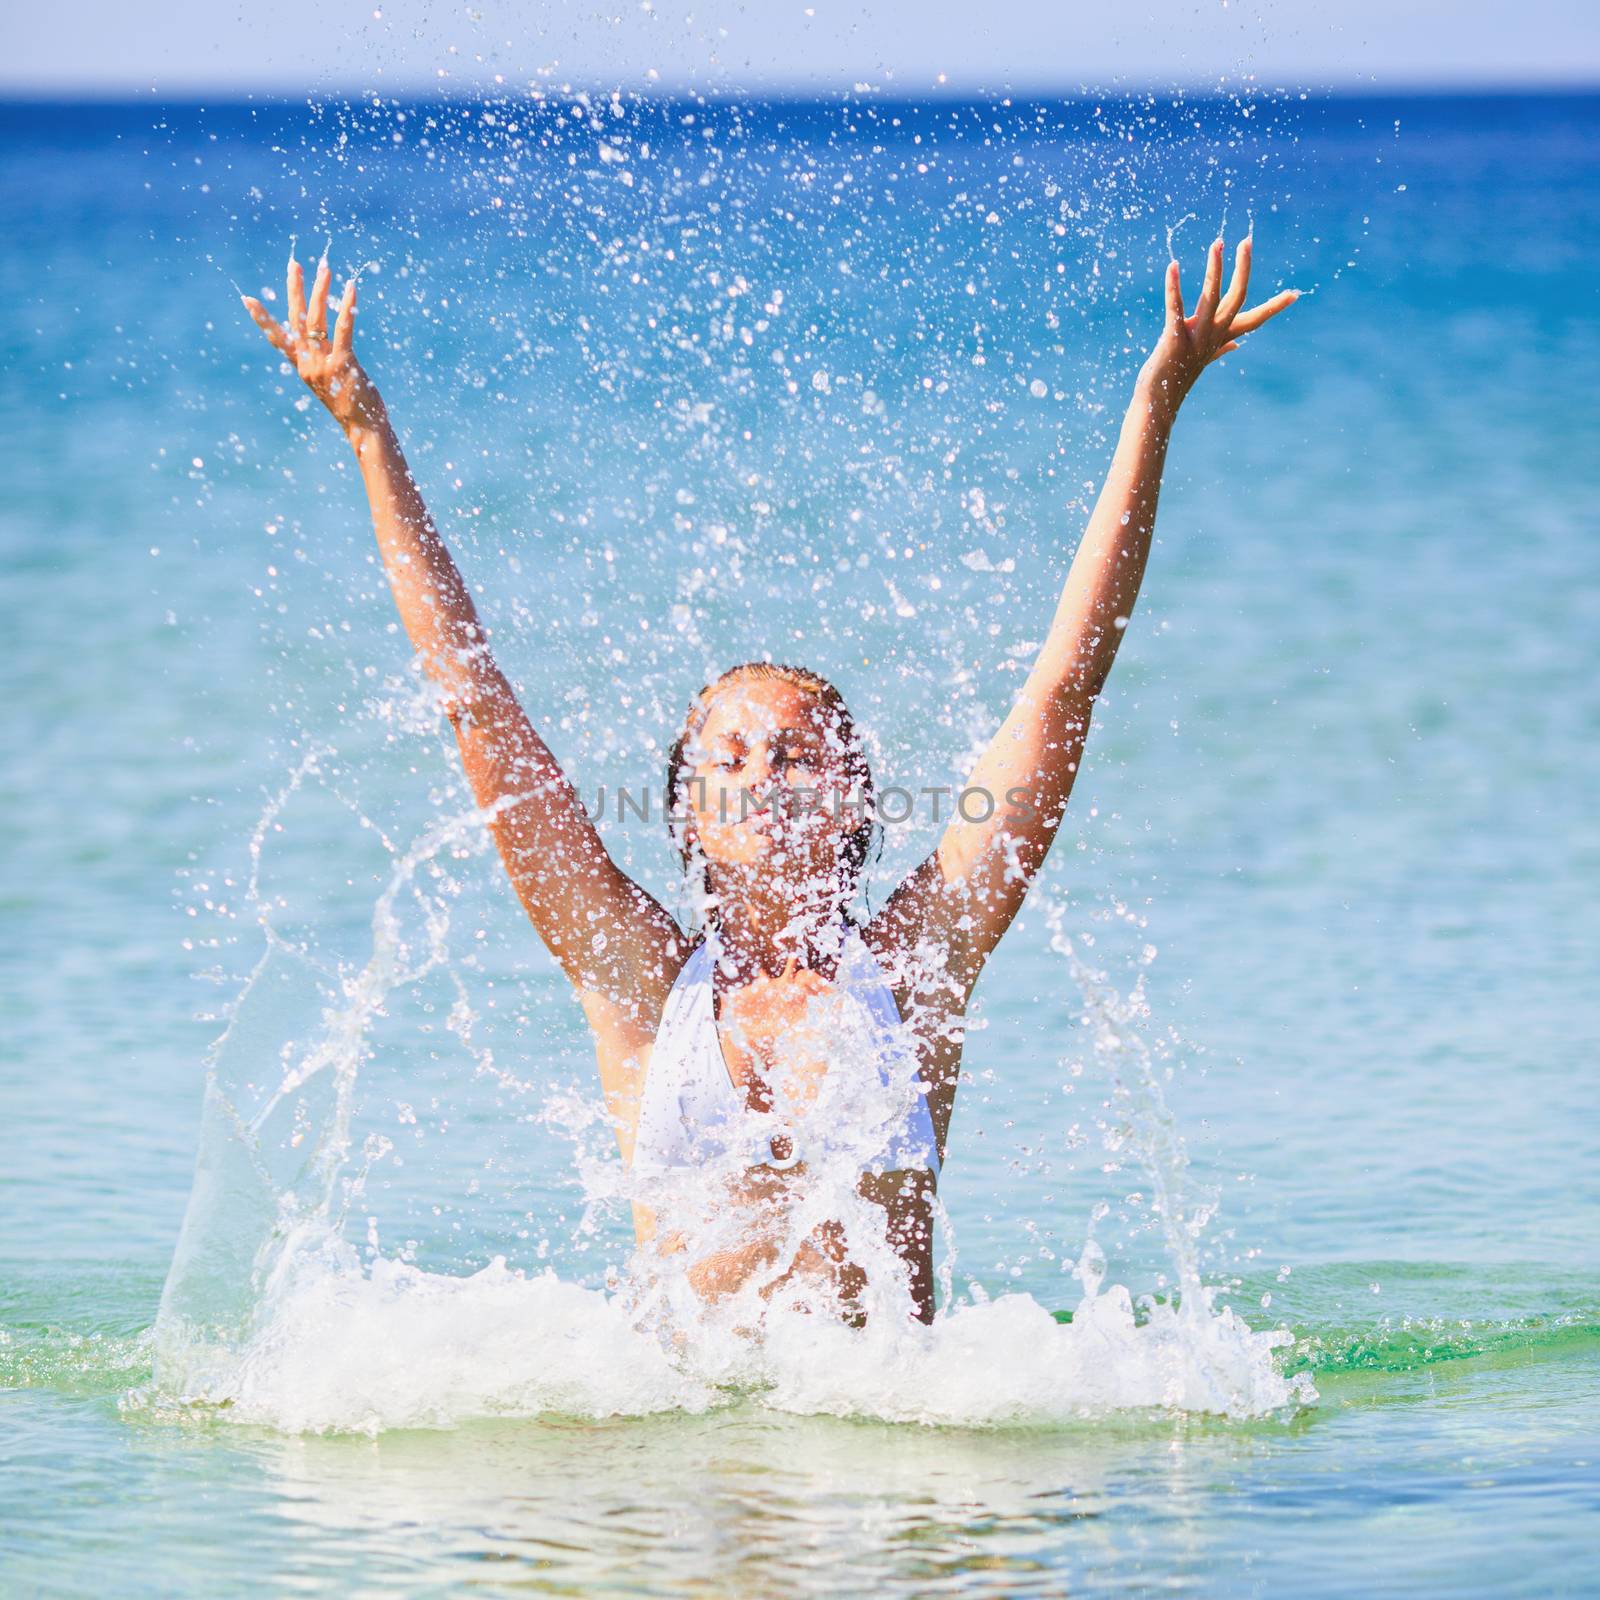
[273, 1316]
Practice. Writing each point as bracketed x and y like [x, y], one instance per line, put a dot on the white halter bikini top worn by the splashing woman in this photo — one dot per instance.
[692, 1113]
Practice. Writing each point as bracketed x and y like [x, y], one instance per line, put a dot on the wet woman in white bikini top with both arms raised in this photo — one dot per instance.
[726, 1054]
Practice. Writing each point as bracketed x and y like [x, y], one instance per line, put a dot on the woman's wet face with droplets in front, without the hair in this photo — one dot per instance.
[769, 786]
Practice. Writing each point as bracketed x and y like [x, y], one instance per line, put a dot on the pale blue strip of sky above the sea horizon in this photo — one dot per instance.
[182, 46]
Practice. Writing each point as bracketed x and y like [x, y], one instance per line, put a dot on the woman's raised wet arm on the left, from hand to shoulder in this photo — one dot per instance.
[610, 937]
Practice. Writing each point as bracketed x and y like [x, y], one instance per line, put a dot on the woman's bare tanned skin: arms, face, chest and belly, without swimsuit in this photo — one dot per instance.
[775, 881]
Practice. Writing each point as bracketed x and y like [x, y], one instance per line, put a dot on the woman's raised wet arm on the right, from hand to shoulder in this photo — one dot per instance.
[975, 882]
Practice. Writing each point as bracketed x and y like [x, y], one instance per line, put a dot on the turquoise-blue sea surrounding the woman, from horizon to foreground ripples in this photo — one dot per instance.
[1343, 786]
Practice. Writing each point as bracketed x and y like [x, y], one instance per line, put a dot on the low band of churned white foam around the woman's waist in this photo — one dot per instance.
[350, 1348]
